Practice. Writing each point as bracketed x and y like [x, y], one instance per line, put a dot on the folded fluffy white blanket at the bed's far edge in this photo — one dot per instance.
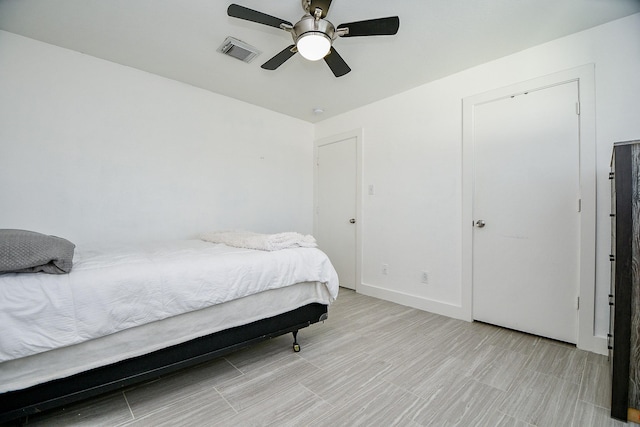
[263, 242]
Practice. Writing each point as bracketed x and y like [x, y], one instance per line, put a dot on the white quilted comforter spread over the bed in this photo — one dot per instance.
[111, 290]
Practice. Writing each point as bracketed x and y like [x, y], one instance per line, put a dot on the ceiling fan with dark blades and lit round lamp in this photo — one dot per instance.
[313, 35]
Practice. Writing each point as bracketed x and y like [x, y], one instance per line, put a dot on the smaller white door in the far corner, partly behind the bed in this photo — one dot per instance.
[336, 207]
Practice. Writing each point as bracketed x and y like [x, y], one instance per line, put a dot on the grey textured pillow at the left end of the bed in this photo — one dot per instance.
[24, 251]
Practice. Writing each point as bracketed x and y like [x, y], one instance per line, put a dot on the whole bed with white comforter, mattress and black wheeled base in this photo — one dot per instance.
[127, 314]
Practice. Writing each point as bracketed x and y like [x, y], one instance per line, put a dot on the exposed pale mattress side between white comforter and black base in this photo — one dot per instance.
[60, 363]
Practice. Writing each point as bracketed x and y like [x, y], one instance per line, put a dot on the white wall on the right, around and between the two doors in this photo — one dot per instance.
[413, 156]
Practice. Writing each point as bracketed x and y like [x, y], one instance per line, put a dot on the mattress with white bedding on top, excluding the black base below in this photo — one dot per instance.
[122, 302]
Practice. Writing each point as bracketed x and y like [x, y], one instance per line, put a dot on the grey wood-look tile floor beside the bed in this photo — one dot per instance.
[373, 363]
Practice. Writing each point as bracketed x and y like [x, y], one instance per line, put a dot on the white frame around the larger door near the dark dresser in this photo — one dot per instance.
[585, 78]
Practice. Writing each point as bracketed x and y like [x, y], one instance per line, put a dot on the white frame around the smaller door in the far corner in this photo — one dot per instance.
[357, 134]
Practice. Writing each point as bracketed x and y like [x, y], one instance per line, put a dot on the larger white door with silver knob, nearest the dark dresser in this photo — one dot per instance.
[526, 191]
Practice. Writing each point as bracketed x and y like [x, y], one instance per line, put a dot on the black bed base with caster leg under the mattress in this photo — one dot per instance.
[41, 397]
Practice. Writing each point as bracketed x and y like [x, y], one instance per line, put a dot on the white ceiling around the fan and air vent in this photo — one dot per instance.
[178, 39]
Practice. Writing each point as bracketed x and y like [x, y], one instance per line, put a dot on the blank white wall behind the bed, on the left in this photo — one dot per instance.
[95, 151]
